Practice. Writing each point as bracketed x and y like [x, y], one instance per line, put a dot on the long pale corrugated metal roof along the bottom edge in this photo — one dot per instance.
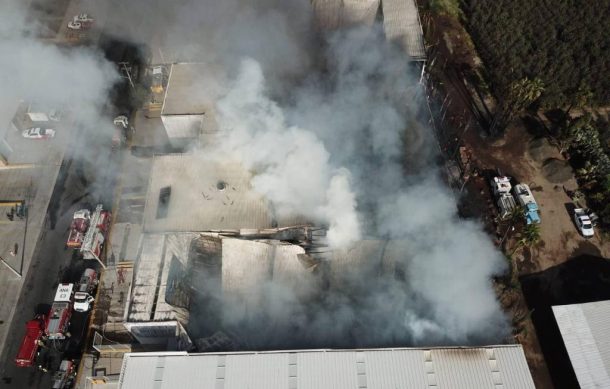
[483, 367]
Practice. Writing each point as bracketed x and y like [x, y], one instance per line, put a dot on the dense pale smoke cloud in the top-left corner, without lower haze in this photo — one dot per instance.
[45, 74]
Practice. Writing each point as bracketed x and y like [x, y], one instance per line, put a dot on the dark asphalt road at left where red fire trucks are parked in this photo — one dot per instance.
[52, 264]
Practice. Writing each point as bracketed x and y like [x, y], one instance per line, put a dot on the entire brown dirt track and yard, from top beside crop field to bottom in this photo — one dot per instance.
[452, 57]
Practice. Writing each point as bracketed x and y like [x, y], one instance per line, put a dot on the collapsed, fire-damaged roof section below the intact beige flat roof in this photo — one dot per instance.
[222, 278]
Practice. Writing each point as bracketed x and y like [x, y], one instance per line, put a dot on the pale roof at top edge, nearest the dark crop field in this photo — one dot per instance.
[401, 24]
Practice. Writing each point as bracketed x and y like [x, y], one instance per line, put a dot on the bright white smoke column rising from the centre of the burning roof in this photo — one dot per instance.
[291, 164]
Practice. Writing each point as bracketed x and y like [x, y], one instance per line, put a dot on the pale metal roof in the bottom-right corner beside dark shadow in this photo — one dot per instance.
[585, 329]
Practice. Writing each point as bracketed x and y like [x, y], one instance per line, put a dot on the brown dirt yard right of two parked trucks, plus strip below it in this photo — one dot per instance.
[560, 240]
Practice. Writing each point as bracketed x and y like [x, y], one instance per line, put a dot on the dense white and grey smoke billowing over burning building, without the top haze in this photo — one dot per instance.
[357, 152]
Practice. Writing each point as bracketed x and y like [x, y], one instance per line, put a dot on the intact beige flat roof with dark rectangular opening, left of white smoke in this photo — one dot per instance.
[205, 196]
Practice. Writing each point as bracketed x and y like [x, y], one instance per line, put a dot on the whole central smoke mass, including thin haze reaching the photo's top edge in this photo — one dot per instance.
[334, 128]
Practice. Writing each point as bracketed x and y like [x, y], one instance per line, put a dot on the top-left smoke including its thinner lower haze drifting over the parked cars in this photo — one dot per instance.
[73, 81]
